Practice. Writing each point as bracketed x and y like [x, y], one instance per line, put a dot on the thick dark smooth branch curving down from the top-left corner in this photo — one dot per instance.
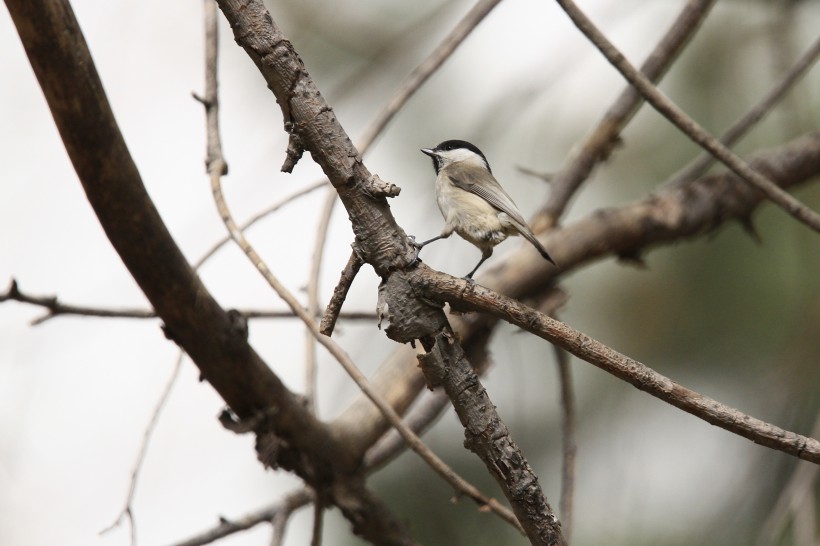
[62, 63]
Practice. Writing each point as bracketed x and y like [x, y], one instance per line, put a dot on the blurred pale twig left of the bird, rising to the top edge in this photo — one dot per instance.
[423, 71]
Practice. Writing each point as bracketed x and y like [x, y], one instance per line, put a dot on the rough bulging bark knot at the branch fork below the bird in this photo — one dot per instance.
[406, 315]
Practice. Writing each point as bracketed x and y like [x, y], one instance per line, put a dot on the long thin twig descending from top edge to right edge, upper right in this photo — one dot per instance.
[686, 124]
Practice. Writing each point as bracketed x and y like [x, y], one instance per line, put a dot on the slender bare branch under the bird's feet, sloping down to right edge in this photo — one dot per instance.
[442, 287]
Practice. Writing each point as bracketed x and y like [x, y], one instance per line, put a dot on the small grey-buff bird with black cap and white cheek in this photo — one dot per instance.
[473, 203]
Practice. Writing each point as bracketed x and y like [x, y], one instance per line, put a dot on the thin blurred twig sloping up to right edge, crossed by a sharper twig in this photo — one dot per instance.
[699, 165]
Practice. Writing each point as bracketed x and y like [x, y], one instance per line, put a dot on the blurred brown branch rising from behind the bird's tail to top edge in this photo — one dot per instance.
[598, 145]
